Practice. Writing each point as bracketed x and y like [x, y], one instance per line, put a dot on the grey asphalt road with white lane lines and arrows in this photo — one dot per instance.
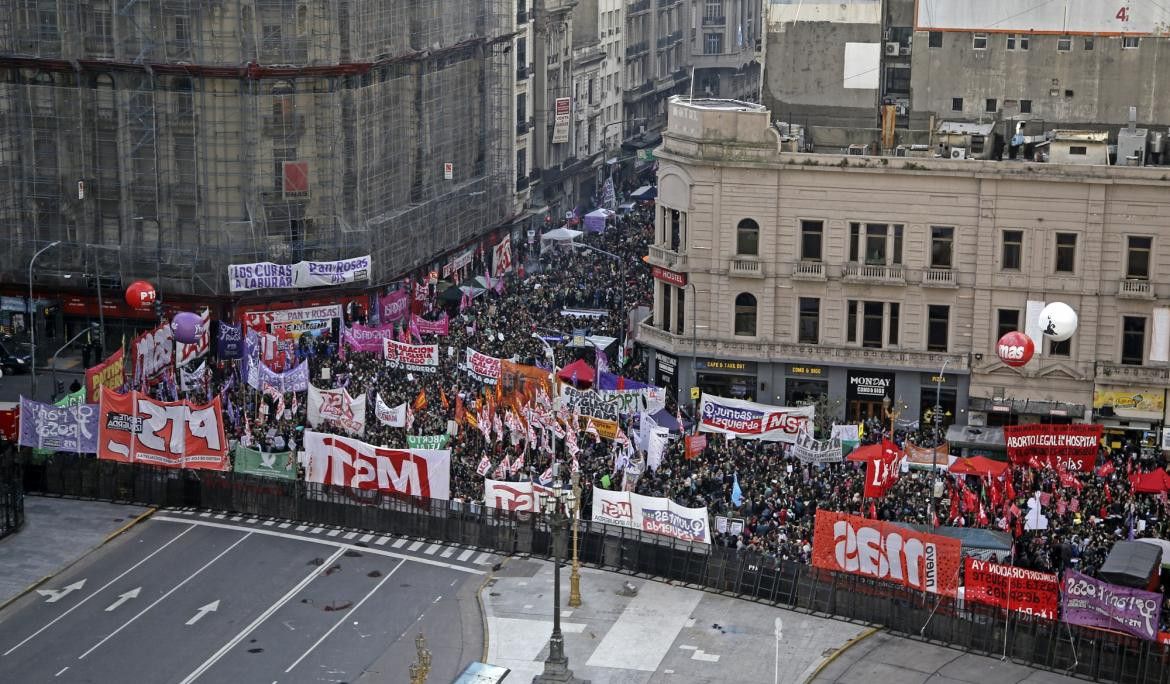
[195, 597]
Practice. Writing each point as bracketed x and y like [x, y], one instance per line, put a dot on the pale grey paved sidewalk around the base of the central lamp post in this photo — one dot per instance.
[664, 634]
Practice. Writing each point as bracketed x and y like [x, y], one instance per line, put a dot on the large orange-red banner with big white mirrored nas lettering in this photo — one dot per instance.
[851, 544]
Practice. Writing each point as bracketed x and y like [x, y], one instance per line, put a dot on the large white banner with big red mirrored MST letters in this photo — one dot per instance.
[349, 462]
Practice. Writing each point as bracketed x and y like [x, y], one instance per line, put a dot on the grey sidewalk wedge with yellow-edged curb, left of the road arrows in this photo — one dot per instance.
[57, 533]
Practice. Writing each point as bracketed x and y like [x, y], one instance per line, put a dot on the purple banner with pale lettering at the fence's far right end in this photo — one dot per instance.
[1092, 603]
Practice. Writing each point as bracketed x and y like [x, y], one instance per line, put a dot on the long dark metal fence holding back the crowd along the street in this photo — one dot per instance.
[1085, 653]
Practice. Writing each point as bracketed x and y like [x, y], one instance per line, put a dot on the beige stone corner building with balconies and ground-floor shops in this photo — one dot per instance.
[784, 277]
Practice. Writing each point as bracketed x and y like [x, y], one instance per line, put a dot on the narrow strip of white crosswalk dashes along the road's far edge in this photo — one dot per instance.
[421, 548]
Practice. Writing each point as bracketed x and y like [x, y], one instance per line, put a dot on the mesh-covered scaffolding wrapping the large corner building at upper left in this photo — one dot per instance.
[166, 140]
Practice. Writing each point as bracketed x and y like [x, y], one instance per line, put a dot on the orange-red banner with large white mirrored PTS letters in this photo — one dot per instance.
[135, 429]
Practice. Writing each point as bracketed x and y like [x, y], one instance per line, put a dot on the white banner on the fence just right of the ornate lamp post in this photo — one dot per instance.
[653, 515]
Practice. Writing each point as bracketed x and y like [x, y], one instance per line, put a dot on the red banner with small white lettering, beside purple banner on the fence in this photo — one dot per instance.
[1007, 586]
